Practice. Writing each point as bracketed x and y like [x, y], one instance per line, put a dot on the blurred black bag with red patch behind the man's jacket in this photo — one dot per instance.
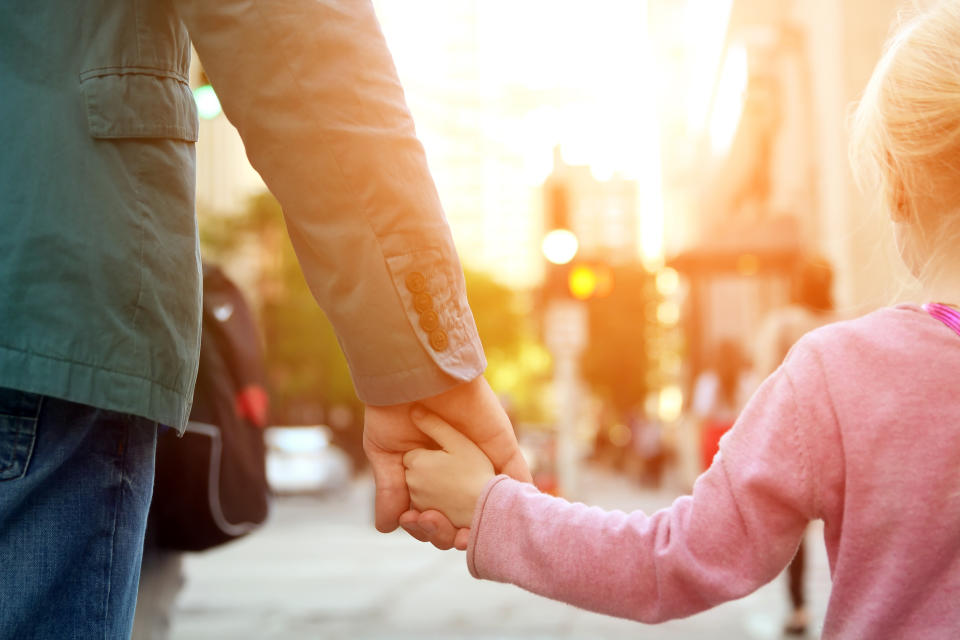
[211, 484]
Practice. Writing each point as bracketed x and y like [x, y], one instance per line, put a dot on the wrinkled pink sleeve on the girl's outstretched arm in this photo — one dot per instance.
[738, 530]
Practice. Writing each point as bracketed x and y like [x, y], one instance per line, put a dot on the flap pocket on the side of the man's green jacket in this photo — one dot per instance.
[136, 102]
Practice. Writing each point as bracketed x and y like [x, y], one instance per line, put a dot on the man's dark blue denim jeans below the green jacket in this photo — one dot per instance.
[75, 488]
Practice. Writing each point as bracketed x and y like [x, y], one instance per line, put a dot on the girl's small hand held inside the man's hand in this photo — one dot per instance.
[449, 479]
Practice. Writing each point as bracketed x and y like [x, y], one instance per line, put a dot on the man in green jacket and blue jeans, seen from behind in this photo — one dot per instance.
[99, 268]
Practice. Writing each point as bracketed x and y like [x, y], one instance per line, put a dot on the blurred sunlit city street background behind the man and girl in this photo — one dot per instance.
[635, 188]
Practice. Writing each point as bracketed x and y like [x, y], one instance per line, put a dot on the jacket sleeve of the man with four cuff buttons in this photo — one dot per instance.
[311, 87]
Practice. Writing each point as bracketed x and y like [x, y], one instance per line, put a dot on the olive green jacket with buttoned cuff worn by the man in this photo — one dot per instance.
[99, 261]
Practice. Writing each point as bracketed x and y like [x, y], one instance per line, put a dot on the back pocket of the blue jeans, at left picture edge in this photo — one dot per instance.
[18, 431]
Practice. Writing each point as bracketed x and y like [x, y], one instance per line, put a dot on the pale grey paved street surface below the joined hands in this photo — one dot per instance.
[320, 570]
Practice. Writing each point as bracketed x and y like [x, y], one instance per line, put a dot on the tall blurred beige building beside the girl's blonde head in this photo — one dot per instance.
[770, 168]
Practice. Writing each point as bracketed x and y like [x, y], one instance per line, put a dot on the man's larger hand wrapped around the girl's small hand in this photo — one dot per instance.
[474, 410]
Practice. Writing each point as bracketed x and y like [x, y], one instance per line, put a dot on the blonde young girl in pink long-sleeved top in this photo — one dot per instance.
[860, 427]
